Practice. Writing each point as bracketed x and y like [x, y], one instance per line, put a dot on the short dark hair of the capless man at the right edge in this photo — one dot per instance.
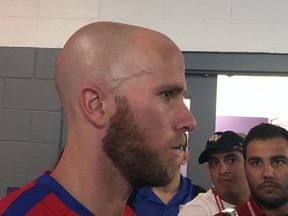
[264, 131]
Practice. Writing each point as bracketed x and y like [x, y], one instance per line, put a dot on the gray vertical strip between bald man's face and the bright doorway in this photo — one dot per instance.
[202, 92]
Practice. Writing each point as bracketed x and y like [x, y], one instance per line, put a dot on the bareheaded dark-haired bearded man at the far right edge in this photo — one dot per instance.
[266, 166]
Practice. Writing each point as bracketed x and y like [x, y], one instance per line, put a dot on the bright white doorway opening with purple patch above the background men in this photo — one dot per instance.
[245, 101]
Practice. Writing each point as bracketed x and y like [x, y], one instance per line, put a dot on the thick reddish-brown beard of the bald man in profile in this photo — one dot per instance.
[130, 151]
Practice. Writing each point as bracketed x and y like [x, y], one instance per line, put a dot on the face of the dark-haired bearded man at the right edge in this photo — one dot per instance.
[266, 167]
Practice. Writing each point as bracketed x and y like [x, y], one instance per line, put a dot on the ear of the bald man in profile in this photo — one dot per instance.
[92, 104]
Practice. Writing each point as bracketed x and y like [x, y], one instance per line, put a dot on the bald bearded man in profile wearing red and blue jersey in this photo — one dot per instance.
[121, 89]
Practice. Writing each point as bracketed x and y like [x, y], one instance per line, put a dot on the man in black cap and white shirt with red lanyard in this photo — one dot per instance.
[225, 164]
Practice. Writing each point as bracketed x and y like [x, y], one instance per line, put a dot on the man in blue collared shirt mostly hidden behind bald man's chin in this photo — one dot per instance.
[166, 200]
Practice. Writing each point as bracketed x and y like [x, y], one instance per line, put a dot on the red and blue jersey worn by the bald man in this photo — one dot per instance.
[44, 196]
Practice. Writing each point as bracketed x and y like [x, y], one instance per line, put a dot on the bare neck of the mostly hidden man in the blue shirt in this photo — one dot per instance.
[167, 192]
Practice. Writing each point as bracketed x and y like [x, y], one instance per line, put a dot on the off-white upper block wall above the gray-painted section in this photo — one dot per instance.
[195, 25]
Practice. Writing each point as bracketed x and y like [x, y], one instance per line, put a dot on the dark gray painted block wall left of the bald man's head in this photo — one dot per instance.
[30, 115]
